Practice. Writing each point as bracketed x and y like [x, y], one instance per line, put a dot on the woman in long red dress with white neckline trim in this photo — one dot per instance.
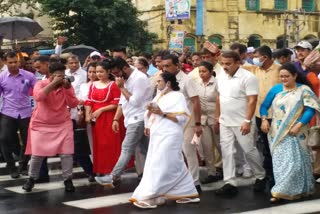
[101, 107]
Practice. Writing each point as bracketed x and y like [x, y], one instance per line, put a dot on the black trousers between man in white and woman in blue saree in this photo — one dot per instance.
[263, 146]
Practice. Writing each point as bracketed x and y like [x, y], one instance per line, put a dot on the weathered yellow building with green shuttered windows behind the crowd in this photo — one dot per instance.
[251, 22]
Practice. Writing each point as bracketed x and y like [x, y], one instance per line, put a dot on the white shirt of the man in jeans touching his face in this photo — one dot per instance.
[139, 86]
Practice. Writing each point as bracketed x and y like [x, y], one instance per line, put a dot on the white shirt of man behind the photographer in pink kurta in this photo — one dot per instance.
[80, 76]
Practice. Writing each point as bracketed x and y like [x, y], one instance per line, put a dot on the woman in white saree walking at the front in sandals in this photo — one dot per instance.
[165, 173]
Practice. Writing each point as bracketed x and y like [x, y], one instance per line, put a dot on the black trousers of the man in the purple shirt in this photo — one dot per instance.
[8, 140]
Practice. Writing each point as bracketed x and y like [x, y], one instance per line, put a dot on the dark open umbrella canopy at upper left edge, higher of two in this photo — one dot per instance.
[18, 28]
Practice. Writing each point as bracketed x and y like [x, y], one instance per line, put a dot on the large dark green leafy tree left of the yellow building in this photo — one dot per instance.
[103, 24]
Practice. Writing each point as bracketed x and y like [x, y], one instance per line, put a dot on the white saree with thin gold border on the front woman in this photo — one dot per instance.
[165, 173]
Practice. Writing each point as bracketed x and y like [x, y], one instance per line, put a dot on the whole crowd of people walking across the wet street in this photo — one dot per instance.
[237, 112]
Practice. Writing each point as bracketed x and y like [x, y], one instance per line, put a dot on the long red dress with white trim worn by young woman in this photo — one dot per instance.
[106, 143]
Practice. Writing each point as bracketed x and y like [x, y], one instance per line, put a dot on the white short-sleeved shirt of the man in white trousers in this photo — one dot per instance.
[233, 92]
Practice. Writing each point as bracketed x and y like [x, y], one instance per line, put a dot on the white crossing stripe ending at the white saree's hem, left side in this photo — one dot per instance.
[97, 202]
